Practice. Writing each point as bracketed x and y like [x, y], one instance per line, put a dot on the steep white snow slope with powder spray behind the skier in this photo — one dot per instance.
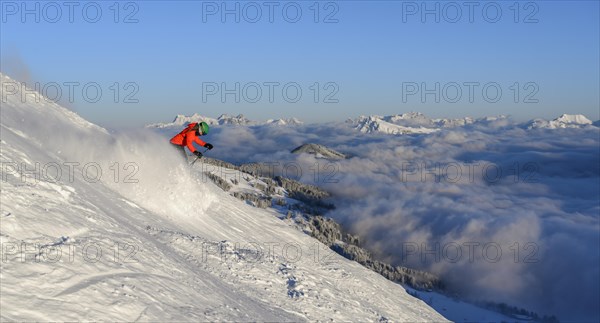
[155, 240]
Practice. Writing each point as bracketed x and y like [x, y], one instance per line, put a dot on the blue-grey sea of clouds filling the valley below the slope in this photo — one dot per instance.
[501, 212]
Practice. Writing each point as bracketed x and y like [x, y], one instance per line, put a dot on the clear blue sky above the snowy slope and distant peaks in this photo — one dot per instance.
[364, 57]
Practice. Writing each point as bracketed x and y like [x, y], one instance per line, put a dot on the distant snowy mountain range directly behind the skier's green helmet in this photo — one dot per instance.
[224, 119]
